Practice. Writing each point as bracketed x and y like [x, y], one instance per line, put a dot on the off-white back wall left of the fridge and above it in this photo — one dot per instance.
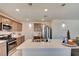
[29, 31]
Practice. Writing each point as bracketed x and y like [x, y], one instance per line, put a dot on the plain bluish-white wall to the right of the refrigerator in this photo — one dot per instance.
[58, 32]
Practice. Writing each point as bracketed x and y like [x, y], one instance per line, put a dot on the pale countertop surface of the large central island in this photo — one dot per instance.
[54, 43]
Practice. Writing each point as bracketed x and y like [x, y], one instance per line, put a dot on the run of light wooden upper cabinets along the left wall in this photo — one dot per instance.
[15, 26]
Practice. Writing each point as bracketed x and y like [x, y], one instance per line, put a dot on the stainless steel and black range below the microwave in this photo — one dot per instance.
[11, 42]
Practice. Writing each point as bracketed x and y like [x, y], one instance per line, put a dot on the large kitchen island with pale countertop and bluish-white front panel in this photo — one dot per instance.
[52, 48]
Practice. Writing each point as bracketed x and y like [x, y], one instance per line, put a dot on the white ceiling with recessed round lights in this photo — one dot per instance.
[36, 11]
